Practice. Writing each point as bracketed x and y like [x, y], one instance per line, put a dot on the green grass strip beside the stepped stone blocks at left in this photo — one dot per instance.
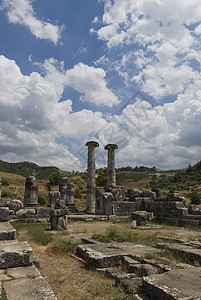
[36, 231]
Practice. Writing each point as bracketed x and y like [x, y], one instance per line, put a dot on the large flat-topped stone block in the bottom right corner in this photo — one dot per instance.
[174, 285]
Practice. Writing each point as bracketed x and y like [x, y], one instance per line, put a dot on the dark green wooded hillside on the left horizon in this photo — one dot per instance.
[26, 169]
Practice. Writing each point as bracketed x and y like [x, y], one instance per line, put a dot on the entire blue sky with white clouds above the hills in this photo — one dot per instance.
[113, 71]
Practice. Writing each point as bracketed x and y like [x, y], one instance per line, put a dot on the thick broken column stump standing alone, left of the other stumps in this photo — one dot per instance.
[31, 192]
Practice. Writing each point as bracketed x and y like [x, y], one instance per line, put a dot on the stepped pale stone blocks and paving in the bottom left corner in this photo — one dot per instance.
[19, 277]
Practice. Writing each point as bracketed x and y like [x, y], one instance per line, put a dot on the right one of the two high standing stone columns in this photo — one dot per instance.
[111, 175]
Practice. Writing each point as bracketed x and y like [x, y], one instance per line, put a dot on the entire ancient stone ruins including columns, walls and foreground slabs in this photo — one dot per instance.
[138, 263]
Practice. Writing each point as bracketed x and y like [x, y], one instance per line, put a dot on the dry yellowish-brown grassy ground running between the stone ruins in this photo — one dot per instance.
[70, 279]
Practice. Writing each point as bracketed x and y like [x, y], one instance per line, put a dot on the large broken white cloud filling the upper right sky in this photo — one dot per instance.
[165, 38]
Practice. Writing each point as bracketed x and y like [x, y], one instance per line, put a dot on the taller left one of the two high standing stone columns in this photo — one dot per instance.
[91, 181]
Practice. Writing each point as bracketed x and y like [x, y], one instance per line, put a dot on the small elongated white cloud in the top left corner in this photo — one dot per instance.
[21, 11]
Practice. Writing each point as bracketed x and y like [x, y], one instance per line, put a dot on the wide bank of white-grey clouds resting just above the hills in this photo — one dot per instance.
[36, 126]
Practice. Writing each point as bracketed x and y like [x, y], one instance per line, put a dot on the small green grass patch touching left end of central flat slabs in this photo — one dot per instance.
[68, 245]
